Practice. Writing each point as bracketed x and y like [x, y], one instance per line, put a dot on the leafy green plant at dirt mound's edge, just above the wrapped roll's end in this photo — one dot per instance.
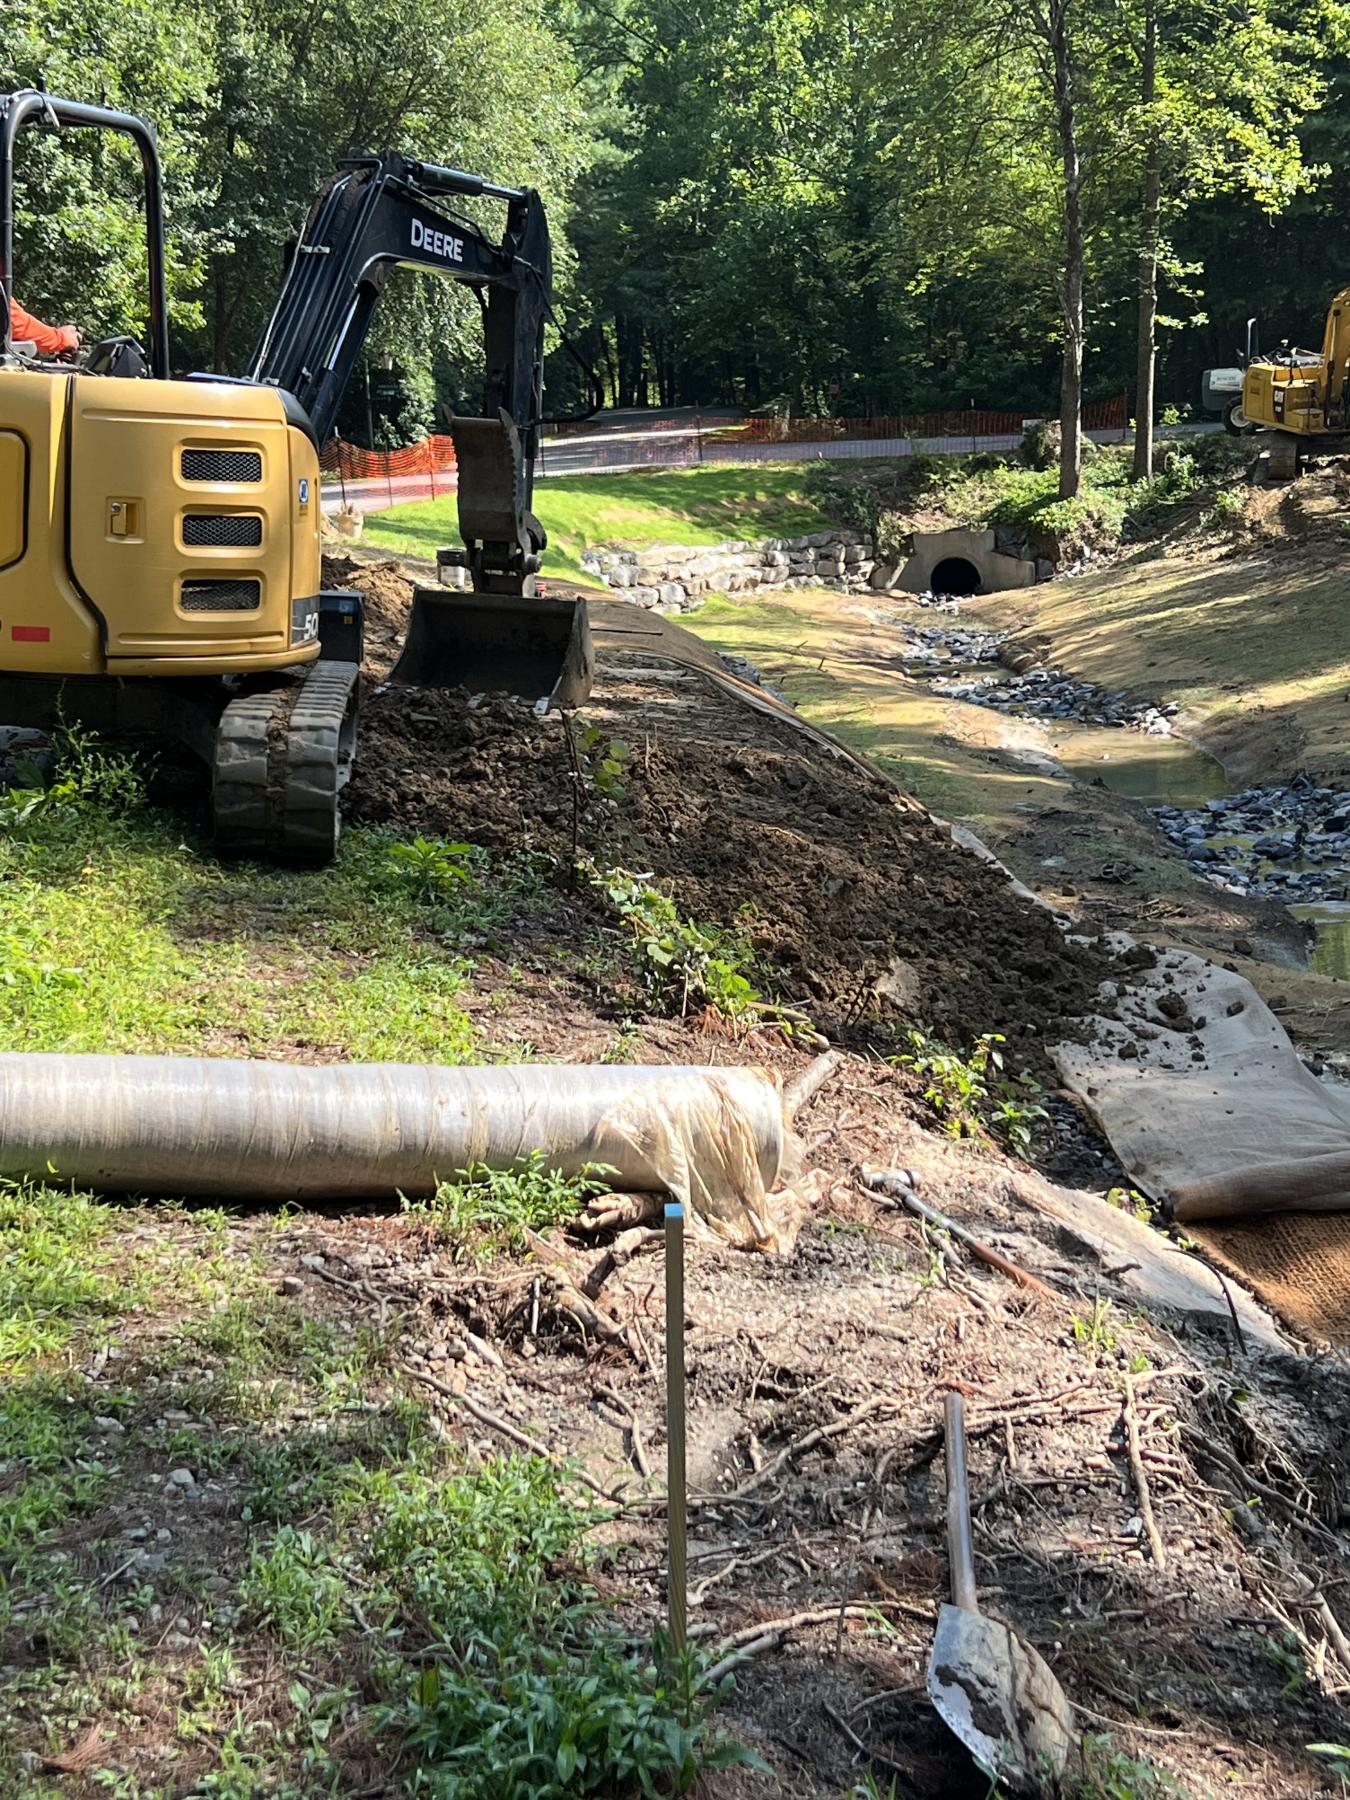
[681, 962]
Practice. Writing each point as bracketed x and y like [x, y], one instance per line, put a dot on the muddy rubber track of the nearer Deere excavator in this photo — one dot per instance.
[282, 760]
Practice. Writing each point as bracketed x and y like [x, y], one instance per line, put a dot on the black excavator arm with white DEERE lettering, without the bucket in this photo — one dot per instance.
[370, 220]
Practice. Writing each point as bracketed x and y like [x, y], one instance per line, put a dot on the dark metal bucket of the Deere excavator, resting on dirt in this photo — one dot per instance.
[526, 645]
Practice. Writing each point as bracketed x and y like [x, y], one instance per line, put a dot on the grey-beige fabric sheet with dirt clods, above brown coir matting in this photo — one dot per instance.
[1219, 1115]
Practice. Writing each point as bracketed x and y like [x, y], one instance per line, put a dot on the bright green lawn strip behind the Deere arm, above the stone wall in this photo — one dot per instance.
[665, 507]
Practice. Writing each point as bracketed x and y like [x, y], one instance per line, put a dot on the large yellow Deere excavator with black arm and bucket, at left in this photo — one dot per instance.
[161, 537]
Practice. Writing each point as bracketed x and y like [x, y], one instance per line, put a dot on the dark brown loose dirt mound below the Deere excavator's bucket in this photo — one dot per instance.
[861, 904]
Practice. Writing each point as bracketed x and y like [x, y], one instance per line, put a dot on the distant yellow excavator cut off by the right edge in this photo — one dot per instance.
[1302, 397]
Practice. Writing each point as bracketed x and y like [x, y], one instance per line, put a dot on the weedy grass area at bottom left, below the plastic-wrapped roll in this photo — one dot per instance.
[384, 1601]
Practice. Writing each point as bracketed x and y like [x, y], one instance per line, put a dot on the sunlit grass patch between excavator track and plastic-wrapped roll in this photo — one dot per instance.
[118, 937]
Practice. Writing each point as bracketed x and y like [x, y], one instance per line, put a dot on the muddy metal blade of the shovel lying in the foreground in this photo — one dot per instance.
[998, 1696]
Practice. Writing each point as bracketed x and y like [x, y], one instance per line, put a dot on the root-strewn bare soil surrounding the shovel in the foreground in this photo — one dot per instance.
[818, 1484]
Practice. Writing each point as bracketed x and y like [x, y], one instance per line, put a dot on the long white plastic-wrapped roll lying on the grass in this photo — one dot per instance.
[712, 1138]
